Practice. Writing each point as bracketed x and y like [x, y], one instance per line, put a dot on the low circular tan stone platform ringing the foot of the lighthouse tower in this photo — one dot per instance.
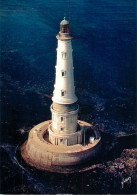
[40, 153]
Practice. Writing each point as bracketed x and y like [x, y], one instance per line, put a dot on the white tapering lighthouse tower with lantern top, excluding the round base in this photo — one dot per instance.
[64, 129]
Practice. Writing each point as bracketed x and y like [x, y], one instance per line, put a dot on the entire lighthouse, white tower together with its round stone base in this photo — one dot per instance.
[63, 142]
